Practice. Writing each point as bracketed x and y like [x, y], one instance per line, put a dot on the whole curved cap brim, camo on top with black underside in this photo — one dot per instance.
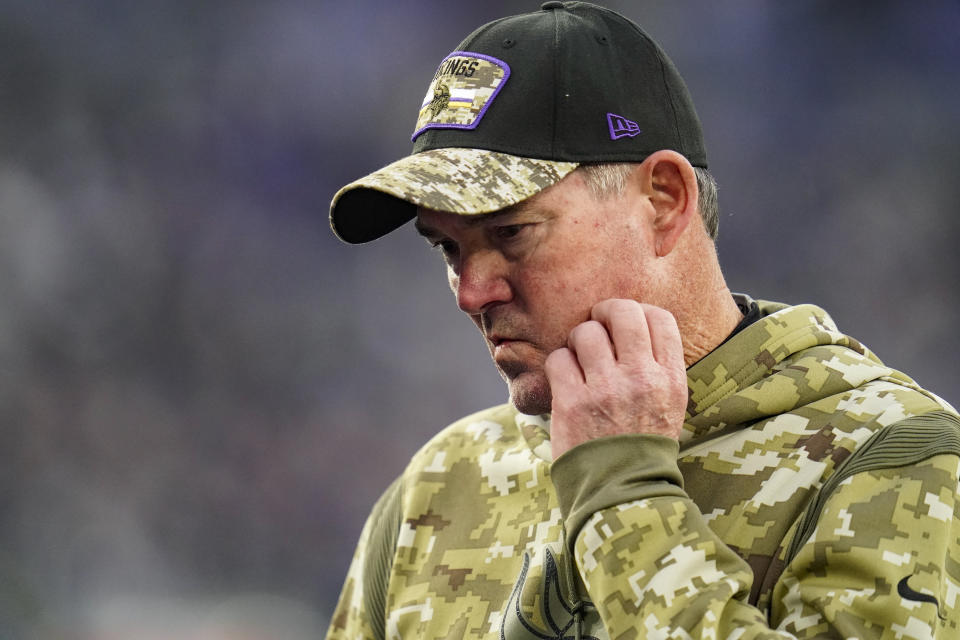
[458, 180]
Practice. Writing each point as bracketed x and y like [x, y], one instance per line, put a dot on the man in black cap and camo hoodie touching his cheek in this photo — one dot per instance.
[676, 461]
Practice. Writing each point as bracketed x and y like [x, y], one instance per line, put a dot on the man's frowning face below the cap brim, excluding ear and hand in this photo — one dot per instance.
[528, 274]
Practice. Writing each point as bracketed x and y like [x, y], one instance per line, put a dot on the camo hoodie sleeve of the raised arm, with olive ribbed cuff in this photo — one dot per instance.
[882, 562]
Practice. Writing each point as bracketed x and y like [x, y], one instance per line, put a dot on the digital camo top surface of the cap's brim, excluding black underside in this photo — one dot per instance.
[466, 181]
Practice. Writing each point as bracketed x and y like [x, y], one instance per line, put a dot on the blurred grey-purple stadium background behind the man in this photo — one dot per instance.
[202, 391]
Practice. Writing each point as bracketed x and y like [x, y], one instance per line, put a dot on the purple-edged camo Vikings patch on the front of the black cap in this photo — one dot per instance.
[461, 91]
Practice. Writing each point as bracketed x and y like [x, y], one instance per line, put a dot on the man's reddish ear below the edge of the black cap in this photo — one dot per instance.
[670, 183]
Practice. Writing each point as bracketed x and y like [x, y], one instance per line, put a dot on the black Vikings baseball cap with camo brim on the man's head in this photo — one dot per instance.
[519, 104]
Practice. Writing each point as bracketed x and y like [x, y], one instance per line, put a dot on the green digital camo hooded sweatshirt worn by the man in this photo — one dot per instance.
[813, 494]
